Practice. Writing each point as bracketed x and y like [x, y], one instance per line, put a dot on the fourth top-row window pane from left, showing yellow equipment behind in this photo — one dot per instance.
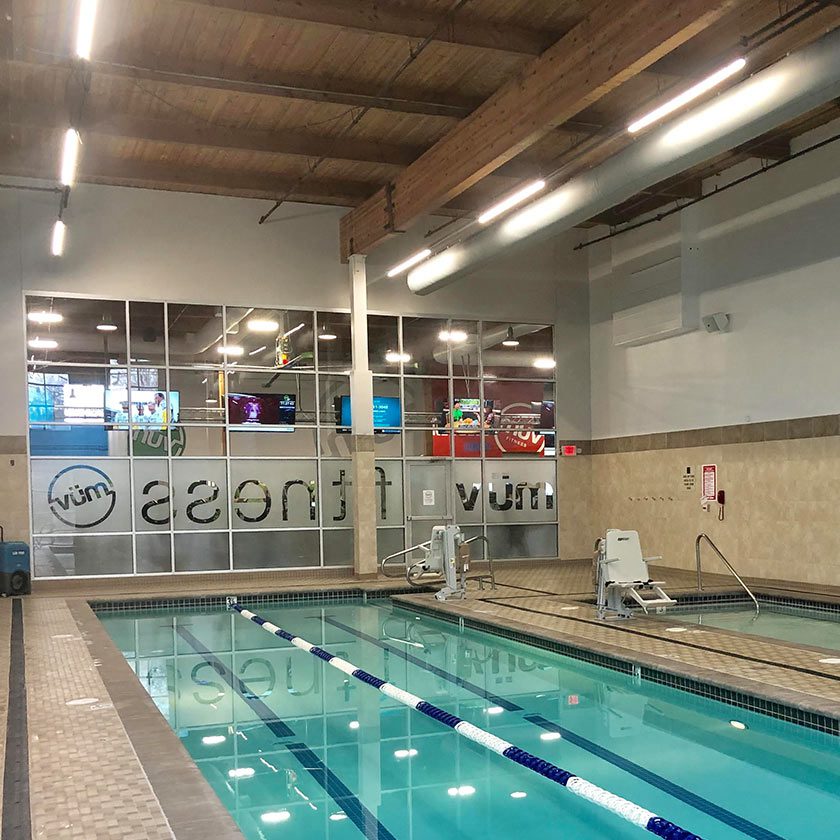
[270, 338]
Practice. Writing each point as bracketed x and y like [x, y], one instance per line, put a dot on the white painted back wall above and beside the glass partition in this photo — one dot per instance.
[144, 244]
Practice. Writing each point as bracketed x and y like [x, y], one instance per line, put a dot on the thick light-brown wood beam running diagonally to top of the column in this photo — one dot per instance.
[614, 42]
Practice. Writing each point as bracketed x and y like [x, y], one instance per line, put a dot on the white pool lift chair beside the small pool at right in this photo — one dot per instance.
[622, 573]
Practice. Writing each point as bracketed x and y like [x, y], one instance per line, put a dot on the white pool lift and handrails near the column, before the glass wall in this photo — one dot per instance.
[446, 560]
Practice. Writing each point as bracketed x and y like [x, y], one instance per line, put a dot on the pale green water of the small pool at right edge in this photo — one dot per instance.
[800, 625]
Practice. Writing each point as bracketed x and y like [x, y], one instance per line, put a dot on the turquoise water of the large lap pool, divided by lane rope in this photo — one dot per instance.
[295, 749]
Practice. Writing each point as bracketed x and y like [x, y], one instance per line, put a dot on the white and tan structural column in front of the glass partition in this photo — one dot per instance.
[361, 402]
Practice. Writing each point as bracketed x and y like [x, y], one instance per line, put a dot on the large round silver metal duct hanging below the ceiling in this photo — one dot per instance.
[786, 90]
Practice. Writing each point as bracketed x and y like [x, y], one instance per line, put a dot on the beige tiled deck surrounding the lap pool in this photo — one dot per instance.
[112, 768]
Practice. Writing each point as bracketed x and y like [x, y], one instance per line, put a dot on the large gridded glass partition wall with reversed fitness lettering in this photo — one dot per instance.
[169, 437]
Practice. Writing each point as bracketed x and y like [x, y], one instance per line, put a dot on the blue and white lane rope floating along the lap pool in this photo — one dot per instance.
[623, 808]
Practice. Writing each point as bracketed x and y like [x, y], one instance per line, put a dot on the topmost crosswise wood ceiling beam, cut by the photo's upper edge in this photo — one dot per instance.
[395, 19]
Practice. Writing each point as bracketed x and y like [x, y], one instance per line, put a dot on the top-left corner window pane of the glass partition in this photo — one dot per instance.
[76, 330]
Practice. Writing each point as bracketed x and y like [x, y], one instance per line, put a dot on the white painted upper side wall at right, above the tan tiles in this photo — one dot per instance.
[767, 252]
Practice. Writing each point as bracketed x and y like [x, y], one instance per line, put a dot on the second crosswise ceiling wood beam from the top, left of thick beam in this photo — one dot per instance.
[261, 83]
